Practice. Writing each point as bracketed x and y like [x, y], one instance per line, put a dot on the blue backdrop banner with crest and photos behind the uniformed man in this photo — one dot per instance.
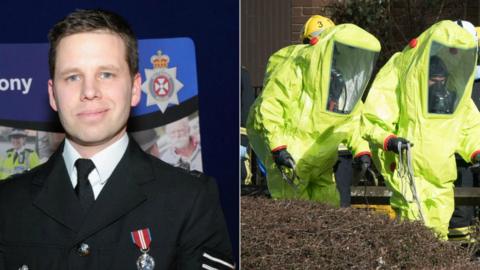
[165, 123]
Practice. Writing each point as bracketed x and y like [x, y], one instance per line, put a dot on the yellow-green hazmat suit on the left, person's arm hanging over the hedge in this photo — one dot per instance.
[310, 103]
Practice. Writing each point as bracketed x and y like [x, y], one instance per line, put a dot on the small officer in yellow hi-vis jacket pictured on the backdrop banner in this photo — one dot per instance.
[19, 158]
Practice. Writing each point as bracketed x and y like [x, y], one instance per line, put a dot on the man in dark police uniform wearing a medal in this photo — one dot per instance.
[100, 202]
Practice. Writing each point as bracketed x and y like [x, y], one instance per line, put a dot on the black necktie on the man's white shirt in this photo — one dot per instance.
[84, 189]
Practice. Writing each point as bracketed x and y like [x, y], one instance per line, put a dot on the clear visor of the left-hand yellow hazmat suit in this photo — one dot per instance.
[349, 74]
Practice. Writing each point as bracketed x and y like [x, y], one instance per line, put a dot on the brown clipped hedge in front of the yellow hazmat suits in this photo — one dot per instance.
[281, 234]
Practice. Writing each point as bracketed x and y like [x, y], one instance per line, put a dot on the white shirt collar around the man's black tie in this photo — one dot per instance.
[105, 162]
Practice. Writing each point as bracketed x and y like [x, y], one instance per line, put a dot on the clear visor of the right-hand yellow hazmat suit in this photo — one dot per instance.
[449, 70]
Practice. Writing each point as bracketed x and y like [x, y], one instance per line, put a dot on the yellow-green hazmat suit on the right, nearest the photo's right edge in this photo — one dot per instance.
[407, 99]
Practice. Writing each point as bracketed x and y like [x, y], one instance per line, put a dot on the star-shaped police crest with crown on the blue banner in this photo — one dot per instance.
[161, 85]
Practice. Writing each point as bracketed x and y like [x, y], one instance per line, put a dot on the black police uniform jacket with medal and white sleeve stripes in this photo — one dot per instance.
[42, 224]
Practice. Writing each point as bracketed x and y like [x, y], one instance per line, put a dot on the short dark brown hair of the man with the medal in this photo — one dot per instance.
[82, 21]
